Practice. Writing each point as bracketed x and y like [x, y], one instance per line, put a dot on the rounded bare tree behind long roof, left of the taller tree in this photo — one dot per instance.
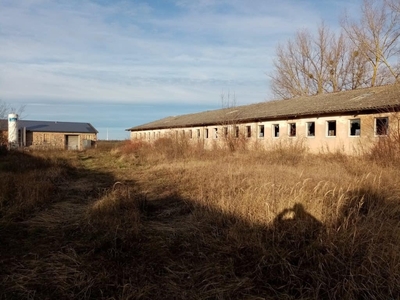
[310, 65]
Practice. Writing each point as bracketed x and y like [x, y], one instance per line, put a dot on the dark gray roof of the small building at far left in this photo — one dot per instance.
[52, 126]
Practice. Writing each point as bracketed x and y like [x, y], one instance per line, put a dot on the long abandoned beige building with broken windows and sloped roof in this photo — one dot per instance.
[349, 121]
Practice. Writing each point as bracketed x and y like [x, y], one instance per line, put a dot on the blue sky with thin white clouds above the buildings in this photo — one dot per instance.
[122, 63]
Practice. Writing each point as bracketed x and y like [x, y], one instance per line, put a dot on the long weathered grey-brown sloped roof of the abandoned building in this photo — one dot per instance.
[376, 98]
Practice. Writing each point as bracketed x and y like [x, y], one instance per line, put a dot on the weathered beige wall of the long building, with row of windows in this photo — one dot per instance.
[340, 139]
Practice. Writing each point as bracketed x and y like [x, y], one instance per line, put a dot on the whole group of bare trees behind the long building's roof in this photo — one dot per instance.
[365, 53]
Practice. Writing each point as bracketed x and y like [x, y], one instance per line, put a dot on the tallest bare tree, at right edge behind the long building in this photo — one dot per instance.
[376, 35]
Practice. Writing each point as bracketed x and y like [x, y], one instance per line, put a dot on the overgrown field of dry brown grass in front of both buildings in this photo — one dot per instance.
[170, 221]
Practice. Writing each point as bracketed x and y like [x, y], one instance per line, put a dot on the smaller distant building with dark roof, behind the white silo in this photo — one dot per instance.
[53, 134]
